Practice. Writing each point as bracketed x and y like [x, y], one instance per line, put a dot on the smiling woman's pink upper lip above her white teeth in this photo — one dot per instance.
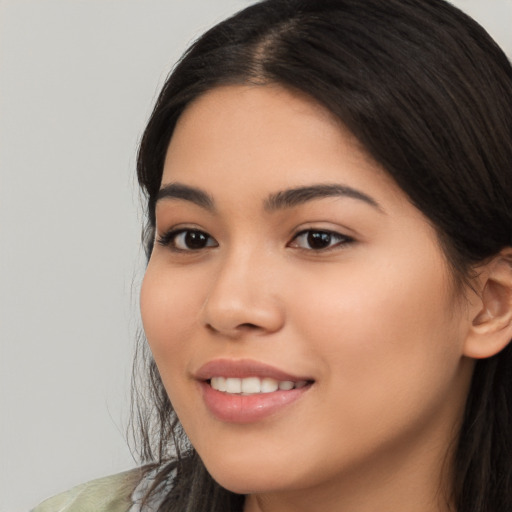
[242, 368]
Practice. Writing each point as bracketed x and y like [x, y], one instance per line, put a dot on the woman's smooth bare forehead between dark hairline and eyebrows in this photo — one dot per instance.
[236, 139]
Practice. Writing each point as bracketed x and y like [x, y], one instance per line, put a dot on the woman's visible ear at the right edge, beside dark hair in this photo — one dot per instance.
[491, 327]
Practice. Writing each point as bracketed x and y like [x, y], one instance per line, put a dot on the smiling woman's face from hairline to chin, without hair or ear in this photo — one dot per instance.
[286, 258]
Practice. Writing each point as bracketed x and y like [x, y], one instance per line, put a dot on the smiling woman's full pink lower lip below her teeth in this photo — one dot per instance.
[233, 408]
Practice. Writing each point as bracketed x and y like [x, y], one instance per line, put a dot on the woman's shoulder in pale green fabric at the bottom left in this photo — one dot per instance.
[108, 494]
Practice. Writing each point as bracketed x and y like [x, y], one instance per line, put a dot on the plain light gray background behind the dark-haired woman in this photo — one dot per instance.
[77, 82]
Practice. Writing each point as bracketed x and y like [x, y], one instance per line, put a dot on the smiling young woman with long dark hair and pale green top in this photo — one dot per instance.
[328, 297]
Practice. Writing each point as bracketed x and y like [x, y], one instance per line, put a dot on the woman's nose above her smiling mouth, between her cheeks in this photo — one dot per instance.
[243, 298]
